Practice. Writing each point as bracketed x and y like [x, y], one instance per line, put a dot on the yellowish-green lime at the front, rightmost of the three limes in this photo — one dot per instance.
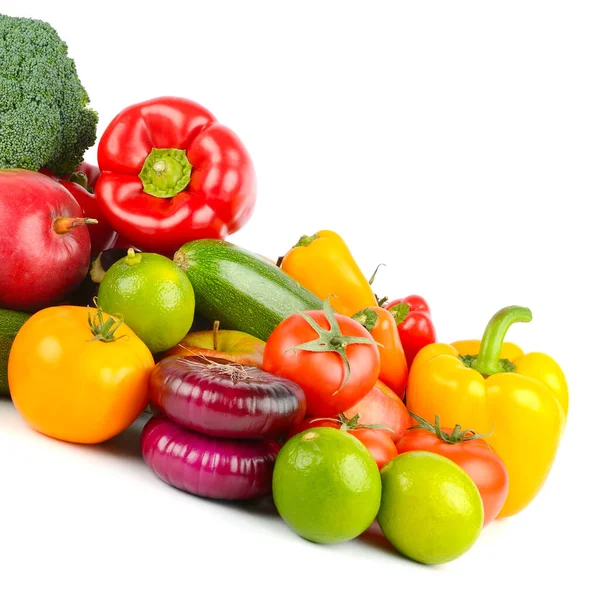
[431, 510]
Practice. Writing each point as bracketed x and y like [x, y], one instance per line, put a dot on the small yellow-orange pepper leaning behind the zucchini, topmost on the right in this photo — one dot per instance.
[323, 264]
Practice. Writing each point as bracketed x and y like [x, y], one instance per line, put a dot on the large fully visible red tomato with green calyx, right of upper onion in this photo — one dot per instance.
[322, 373]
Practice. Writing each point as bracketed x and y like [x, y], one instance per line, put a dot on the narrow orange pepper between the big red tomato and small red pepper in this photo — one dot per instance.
[382, 326]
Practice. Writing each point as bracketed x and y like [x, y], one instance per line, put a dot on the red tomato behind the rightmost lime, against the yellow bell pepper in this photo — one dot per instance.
[476, 457]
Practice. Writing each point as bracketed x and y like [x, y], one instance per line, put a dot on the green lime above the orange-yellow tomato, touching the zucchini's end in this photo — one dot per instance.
[154, 297]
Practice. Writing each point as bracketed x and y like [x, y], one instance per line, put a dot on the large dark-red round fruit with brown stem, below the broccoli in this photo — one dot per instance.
[44, 241]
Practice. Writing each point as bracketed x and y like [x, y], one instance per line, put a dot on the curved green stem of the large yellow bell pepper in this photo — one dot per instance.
[488, 360]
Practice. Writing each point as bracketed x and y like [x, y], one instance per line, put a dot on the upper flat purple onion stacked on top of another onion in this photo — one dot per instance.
[222, 399]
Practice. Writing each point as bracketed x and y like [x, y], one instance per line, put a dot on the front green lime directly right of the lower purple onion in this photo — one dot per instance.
[326, 485]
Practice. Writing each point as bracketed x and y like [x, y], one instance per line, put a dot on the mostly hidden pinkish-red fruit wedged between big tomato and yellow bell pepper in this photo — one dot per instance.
[381, 405]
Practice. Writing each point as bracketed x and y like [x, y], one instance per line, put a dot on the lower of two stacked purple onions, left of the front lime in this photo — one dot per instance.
[208, 467]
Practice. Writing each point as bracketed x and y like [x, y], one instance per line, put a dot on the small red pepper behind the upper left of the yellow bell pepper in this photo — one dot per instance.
[413, 318]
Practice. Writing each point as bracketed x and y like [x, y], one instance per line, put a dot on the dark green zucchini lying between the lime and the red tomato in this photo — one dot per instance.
[241, 290]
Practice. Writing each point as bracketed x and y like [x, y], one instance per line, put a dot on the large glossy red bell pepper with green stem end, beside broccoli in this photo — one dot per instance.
[170, 174]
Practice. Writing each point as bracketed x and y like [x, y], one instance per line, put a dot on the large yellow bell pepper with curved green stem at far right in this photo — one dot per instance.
[491, 386]
